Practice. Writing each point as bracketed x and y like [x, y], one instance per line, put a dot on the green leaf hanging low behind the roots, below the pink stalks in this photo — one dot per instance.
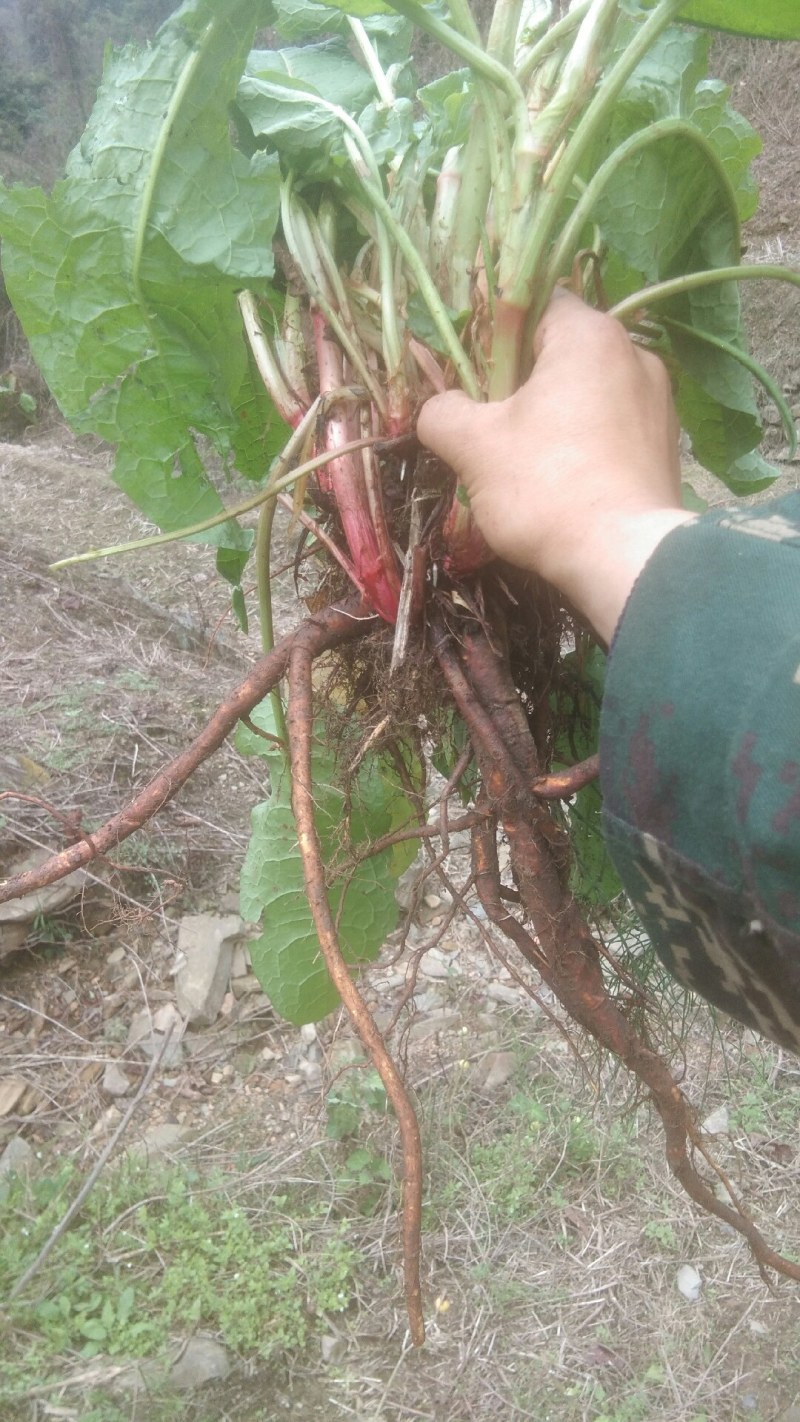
[286, 958]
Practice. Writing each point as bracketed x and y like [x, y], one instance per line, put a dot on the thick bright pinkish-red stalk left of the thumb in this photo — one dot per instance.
[345, 480]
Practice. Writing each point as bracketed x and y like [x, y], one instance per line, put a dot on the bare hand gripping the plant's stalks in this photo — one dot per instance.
[578, 476]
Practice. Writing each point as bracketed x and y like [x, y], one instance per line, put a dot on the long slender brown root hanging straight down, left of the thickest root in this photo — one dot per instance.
[301, 720]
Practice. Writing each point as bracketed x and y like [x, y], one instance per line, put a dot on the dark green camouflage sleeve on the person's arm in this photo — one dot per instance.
[701, 760]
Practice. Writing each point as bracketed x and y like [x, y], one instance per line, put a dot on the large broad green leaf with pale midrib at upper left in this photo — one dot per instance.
[126, 277]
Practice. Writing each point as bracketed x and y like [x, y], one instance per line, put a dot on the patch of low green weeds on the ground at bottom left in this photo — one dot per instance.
[164, 1252]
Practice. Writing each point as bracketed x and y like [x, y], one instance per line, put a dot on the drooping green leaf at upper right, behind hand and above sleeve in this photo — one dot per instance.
[674, 208]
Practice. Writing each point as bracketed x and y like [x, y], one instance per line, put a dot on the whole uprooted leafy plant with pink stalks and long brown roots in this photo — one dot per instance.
[279, 254]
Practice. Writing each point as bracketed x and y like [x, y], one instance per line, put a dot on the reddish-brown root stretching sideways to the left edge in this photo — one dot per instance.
[328, 629]
